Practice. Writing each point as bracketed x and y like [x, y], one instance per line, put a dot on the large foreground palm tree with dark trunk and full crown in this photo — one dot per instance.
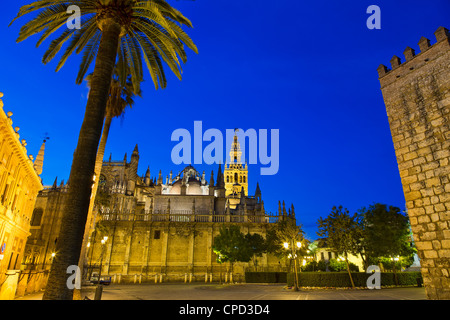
[113, 32]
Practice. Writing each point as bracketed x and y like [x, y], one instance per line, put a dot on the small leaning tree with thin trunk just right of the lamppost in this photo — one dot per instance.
[342, 232]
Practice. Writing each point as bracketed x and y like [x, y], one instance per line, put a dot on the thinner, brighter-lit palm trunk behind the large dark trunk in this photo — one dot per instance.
[90, 219]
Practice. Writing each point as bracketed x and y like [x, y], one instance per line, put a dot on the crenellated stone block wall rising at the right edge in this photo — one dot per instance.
[417, 98]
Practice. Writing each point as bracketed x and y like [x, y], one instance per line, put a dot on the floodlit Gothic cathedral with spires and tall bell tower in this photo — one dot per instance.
[146, 228]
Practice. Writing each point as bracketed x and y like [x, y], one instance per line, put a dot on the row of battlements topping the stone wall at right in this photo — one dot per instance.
[413, 60]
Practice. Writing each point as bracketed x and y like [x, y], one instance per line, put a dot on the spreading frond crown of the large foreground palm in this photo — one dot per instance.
[154, 34]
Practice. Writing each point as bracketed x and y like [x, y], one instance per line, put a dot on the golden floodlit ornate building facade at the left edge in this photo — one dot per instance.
[19, 186]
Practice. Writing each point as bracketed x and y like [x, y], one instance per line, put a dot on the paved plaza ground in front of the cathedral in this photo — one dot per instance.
[242, 292]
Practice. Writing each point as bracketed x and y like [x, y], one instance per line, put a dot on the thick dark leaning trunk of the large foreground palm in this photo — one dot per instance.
[83, 165]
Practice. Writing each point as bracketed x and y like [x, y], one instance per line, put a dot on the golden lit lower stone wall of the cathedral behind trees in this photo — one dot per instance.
[141, 250]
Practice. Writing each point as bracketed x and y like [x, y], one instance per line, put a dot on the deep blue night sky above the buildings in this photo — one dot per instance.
[307, 68]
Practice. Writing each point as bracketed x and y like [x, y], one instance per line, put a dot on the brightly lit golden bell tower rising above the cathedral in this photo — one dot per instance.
[236, 173]
